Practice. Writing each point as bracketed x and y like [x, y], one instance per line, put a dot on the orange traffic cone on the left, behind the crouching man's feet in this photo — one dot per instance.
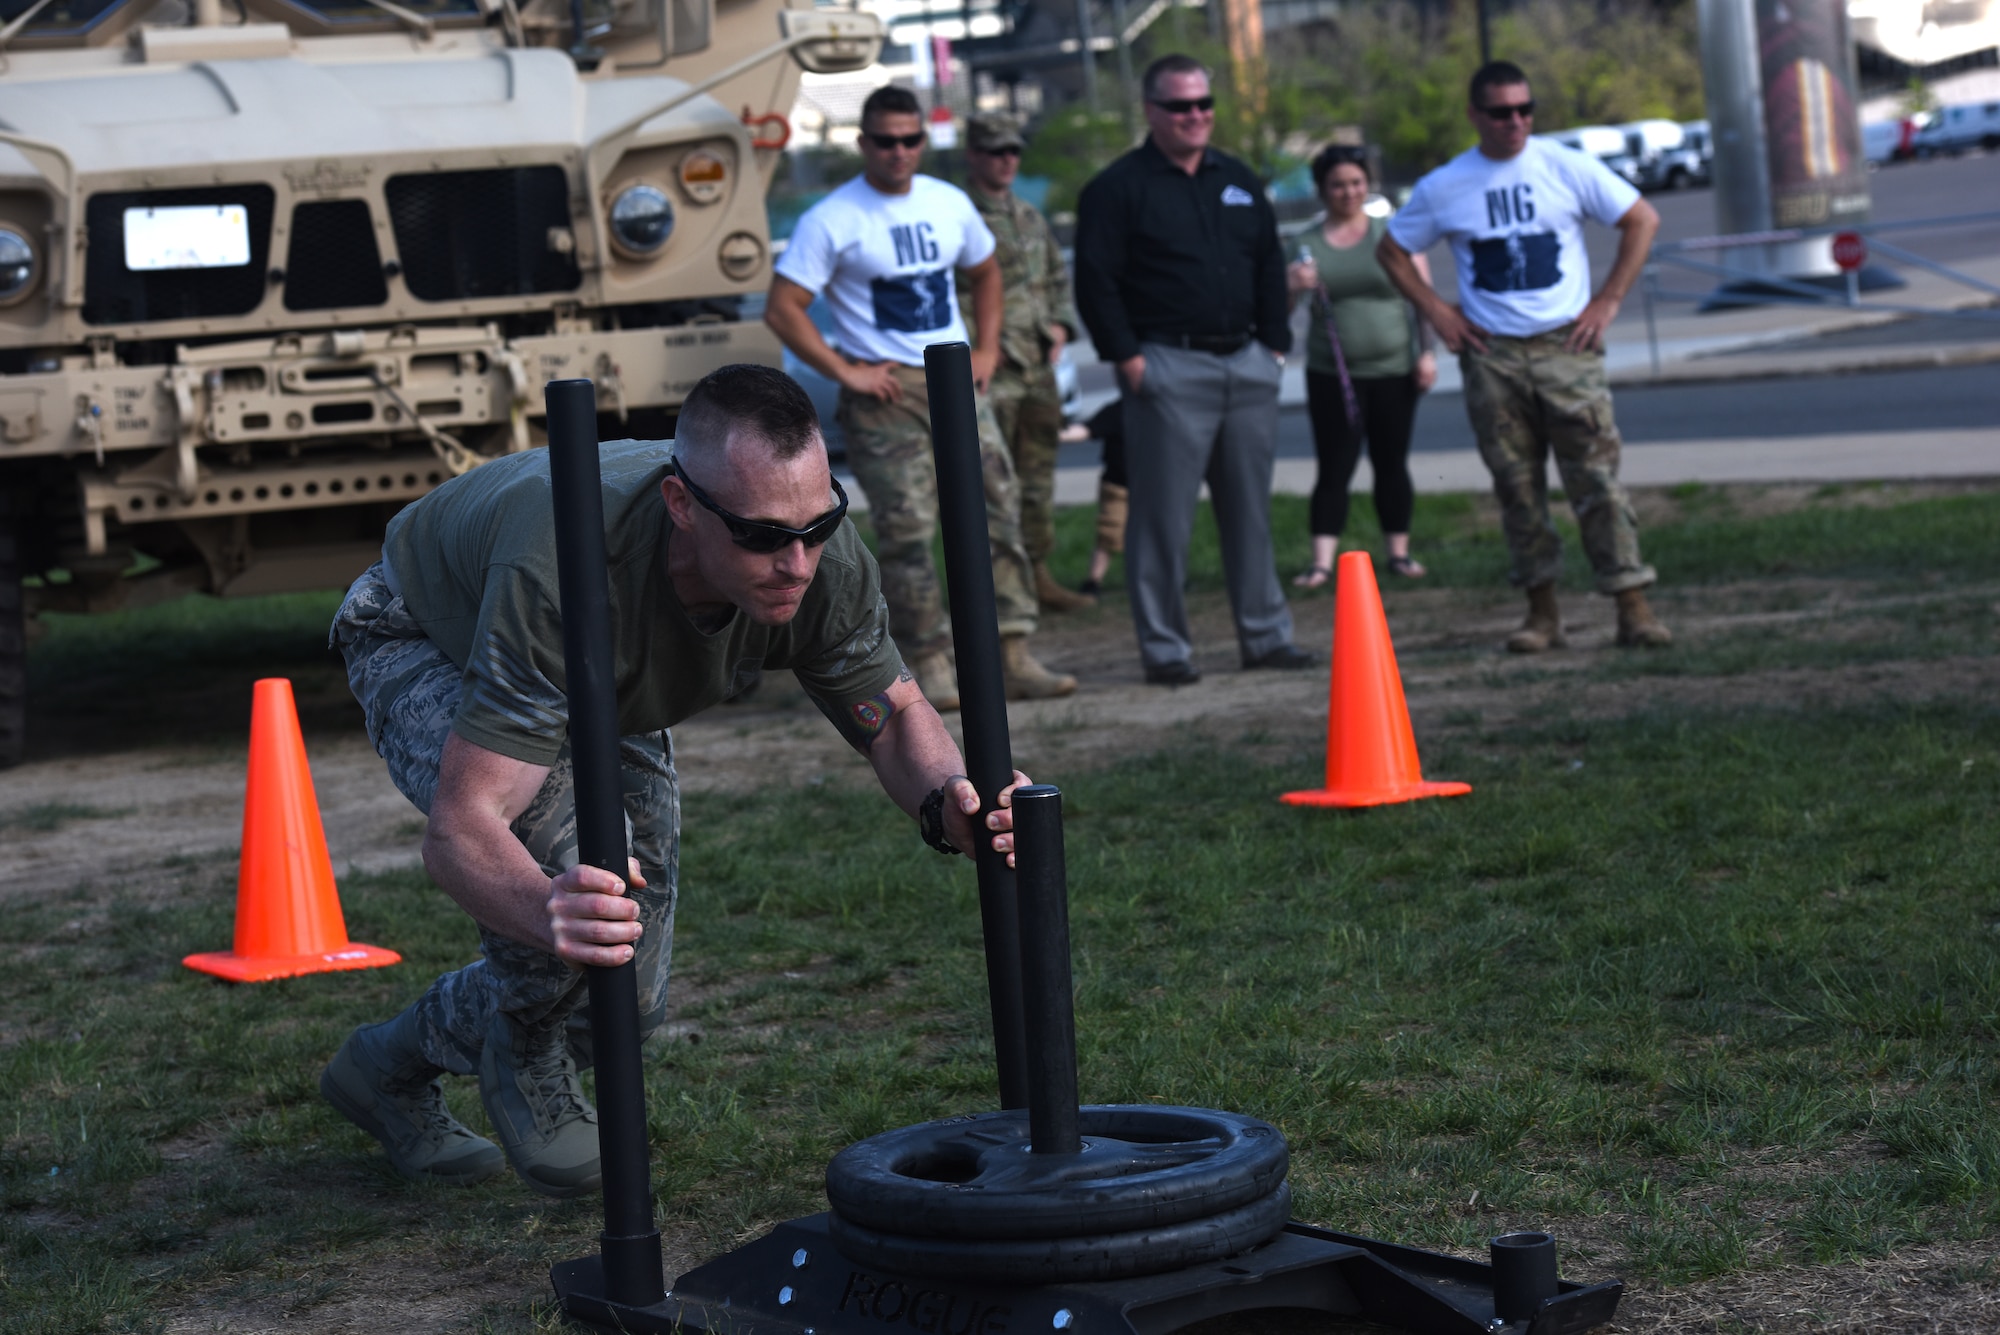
[287, 908]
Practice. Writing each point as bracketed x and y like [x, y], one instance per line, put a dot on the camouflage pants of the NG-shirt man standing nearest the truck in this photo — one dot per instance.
[889, 451]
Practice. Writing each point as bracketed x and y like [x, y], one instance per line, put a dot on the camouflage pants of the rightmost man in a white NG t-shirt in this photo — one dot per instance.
[1529, 399]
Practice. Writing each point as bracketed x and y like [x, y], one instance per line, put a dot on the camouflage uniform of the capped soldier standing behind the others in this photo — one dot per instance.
[1027, 403]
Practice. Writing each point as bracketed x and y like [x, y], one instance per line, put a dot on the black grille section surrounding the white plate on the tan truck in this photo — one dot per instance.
[115, 295]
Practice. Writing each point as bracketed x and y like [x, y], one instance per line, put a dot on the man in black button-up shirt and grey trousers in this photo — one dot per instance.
[1181, 283]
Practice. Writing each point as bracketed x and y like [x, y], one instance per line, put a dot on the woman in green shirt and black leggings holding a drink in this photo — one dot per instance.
[1367, 363]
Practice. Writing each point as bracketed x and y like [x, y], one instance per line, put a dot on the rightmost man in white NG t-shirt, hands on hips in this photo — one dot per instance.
[1531, 341]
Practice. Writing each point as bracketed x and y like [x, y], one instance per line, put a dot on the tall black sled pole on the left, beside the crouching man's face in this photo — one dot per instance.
[631, 1244]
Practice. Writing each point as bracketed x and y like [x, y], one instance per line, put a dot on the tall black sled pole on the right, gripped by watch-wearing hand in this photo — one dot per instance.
[969, 577]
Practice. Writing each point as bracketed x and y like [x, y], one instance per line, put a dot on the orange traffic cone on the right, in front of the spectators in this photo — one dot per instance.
[1371, 752]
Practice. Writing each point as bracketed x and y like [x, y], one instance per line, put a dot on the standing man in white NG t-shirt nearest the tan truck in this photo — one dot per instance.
[883, 249]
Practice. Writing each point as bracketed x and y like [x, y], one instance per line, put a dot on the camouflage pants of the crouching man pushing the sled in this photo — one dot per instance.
[409, 694]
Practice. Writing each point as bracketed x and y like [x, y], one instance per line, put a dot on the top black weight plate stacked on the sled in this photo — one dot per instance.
[977, 1178]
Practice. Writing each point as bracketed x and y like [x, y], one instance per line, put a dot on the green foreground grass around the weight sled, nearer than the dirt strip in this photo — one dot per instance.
[1721, 996]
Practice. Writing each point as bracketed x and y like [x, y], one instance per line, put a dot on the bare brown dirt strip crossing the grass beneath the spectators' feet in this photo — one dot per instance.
[157, 812]
